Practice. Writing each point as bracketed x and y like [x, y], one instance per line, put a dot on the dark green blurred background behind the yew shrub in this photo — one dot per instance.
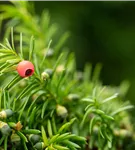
[101, 31]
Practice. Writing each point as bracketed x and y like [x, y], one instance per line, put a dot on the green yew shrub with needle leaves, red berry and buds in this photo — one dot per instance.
[45, 103]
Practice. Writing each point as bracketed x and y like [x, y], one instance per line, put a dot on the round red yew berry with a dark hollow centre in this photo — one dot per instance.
[25, 68]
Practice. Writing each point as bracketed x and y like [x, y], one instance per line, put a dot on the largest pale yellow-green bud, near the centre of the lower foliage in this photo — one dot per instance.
[61, 111]
